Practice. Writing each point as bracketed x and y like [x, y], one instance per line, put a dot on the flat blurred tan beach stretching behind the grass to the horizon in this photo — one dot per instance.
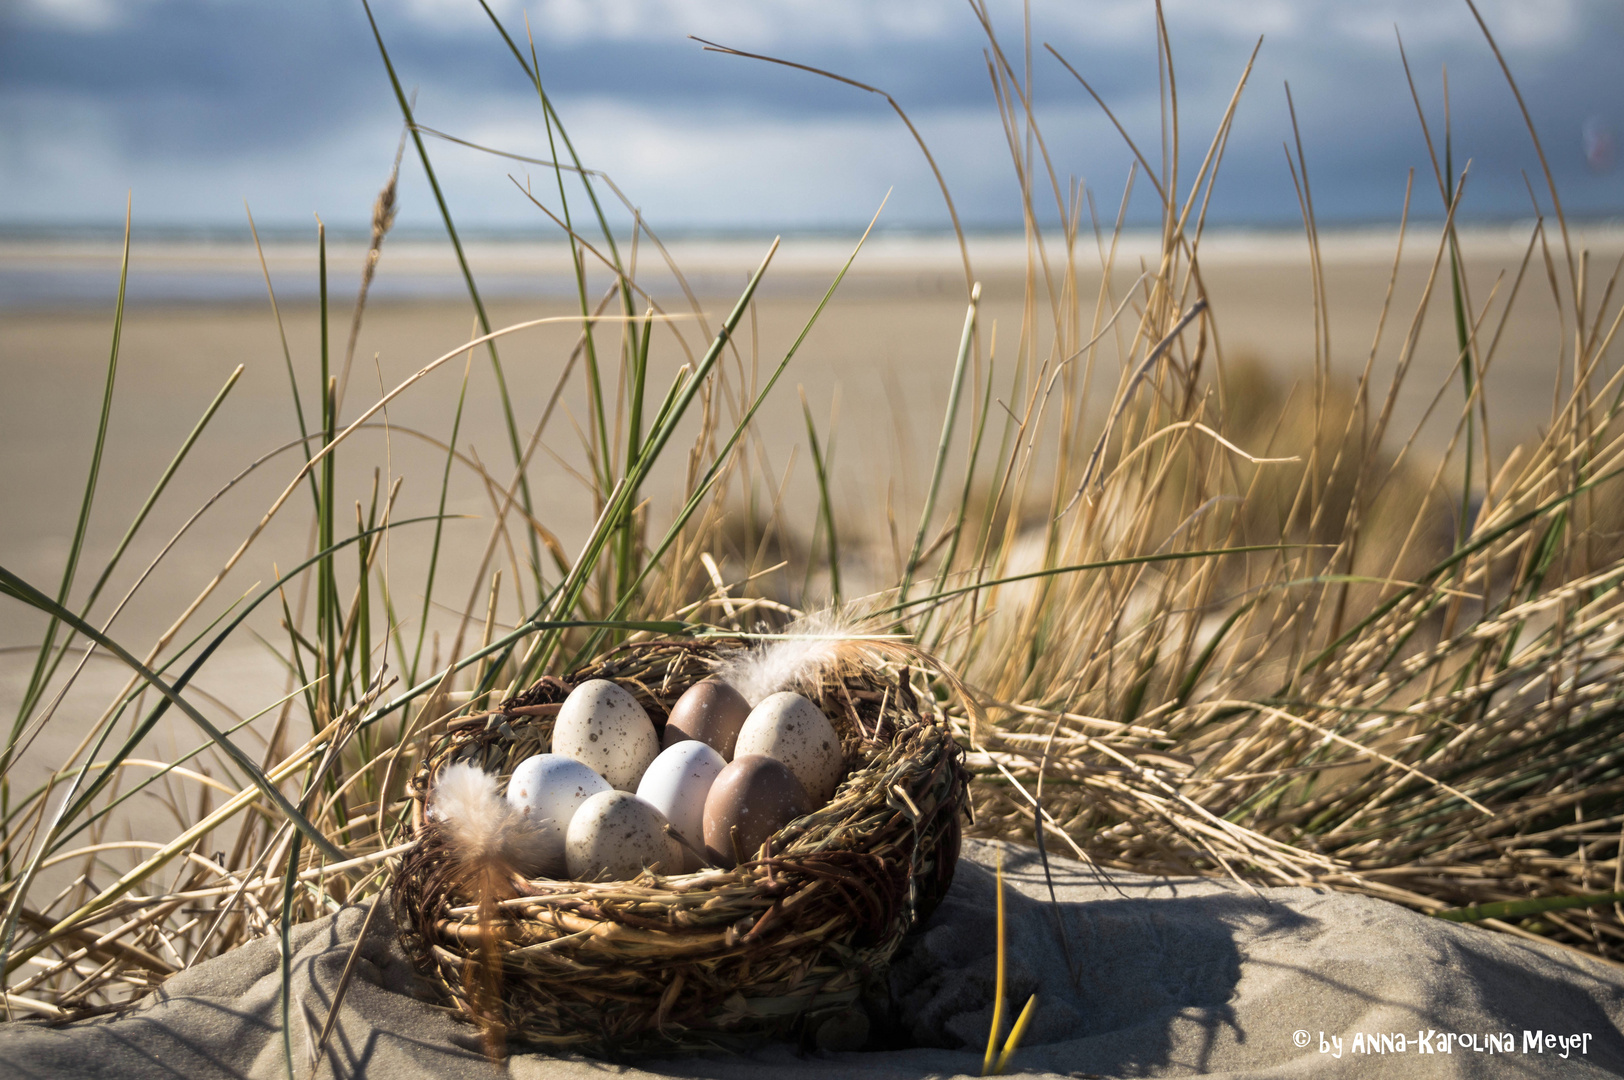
[879, 363]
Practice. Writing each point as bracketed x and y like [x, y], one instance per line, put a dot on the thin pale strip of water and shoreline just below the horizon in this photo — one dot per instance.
[84, 270]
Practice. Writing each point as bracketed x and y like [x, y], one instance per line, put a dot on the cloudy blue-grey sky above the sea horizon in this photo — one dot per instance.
[201, 105]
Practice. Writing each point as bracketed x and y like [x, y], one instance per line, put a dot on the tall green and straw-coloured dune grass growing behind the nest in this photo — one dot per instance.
[1198, 639]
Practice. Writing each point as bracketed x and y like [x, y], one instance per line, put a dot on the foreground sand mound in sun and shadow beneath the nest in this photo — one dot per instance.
[1172, 978]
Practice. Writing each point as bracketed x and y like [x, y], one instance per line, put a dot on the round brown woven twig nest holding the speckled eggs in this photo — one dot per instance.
[709, 961]
